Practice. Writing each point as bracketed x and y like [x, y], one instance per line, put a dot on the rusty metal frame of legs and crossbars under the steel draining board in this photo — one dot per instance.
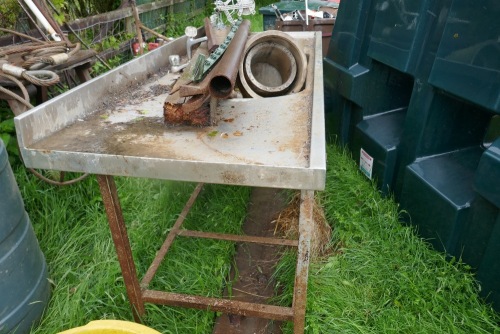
[138, 293]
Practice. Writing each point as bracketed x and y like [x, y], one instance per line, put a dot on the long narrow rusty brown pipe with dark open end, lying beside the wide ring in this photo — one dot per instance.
[224, 74]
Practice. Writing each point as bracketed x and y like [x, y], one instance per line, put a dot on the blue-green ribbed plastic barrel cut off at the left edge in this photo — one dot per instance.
[24, 287]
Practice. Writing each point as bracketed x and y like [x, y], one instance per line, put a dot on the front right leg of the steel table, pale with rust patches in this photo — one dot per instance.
[301, 273]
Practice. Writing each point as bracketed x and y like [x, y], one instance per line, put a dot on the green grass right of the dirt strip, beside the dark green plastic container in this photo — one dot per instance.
[381, 277]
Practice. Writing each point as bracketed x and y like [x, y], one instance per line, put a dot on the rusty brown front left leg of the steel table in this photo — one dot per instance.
[122, 243]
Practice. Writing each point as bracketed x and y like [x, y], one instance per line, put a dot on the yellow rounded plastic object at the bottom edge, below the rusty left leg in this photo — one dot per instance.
[111, 327]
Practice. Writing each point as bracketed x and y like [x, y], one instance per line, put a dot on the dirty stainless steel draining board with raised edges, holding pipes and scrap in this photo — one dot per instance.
[113, 125]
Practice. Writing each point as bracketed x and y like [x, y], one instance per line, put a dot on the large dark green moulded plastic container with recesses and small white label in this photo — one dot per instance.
[413, 88]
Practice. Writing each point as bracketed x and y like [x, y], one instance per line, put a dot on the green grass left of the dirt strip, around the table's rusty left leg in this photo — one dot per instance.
[87, 284]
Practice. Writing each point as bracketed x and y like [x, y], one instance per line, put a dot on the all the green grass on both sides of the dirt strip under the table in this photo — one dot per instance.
[380, 278]
